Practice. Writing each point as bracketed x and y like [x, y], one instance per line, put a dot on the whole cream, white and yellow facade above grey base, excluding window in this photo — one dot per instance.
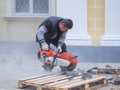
[84, 31]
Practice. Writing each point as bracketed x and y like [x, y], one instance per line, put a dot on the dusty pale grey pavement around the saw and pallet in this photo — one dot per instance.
[15, 67]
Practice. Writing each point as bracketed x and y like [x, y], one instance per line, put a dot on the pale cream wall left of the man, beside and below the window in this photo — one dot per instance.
[16, 29]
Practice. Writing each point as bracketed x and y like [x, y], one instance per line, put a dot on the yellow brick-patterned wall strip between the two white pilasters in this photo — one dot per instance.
[96, 19]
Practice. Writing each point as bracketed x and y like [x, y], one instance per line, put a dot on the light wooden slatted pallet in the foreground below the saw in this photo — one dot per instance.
[62, 82]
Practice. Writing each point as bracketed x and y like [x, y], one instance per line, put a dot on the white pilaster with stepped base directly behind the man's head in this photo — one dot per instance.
[78, 12]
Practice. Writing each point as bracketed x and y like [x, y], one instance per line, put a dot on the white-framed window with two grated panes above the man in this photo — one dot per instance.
[31, 7]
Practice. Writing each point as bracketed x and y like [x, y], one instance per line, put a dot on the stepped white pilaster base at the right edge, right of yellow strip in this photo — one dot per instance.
[110, 40]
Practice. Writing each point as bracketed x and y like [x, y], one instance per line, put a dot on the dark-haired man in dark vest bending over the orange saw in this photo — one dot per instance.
[53, 31]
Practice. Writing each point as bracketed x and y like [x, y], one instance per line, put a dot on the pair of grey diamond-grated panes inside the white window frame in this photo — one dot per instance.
[37, 6]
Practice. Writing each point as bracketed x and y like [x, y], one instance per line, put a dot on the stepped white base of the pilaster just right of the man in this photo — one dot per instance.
[81, 40]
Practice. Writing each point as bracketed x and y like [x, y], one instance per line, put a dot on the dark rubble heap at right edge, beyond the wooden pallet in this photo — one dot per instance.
[113, 74]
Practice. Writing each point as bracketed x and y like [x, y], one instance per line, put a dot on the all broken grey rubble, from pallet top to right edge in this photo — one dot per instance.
[112, 74]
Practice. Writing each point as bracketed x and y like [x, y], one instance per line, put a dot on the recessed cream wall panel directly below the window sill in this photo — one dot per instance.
[22, 30]
